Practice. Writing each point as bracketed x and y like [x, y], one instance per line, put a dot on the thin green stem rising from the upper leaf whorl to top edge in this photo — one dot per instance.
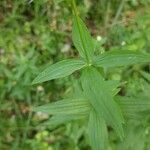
[74, 7]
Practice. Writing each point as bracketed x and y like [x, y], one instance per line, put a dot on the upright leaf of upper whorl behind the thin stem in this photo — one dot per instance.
[82, 39]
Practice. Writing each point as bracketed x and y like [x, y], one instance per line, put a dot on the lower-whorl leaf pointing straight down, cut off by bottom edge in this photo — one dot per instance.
[97, 131]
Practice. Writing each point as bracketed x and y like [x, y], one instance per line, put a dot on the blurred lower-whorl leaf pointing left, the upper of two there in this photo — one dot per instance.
[65, 107]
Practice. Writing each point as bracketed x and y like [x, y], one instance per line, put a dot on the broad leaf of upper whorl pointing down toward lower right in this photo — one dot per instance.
[101, 99]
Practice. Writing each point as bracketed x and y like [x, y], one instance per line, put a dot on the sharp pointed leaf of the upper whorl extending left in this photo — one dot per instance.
[59, 70]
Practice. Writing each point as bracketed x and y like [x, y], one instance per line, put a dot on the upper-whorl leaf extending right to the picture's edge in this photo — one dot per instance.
[120, 58]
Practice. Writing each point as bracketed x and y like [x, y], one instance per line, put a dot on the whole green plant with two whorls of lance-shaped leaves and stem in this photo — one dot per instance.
[97, 101]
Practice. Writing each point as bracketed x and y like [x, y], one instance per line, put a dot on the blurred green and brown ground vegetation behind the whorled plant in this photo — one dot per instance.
[36, 33]
